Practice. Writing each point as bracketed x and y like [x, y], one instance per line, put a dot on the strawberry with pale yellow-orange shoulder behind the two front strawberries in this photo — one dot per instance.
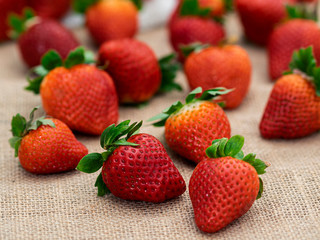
[190, 128]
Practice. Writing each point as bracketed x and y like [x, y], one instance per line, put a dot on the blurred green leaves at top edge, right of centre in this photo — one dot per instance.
[192, 8]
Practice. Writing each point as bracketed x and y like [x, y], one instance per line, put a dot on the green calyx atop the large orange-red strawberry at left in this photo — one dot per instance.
[52, 60]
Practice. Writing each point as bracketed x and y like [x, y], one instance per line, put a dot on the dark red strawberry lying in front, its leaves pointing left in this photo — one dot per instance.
[135, 167]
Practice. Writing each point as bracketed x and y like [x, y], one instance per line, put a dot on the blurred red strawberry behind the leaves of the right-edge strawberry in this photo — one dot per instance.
[288, 37]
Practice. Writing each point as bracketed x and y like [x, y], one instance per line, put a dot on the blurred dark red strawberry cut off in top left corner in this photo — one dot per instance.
[7, 7]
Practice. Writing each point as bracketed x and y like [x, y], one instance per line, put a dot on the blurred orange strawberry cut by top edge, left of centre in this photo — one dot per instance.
[110, 19]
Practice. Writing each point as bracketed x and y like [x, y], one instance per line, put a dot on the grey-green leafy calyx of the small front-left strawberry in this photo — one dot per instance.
[20, 127]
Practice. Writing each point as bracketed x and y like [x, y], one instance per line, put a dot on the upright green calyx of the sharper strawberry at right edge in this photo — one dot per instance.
[304, 63]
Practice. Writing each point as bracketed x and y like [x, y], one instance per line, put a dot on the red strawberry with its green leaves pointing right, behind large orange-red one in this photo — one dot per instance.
[136, 71]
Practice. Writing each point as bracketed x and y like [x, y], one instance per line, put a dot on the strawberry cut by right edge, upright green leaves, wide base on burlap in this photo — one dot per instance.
[293, 109]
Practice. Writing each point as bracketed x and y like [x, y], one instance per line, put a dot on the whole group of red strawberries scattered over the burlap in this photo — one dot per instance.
[82, 92]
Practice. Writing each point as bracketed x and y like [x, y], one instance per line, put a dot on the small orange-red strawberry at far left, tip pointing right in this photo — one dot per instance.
[45, 145]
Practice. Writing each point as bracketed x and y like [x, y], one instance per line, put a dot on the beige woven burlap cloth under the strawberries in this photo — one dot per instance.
[65, 206]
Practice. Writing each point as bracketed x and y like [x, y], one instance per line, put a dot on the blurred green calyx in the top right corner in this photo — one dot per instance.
[300, 11]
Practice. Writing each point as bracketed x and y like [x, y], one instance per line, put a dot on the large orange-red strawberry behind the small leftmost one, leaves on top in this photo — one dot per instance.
[81, 95]
